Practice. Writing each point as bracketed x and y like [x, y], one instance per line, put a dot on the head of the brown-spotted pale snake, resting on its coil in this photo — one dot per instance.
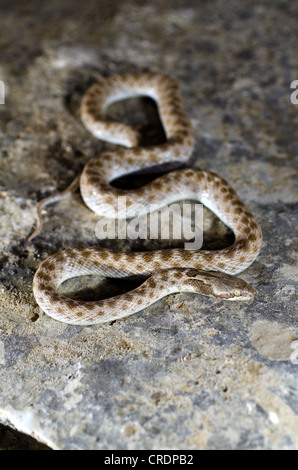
[220, 285]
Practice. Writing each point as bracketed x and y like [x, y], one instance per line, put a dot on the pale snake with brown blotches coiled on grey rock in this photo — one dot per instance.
[165, 271]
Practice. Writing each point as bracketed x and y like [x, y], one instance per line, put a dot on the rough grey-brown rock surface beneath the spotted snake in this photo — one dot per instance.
[189, 372]
